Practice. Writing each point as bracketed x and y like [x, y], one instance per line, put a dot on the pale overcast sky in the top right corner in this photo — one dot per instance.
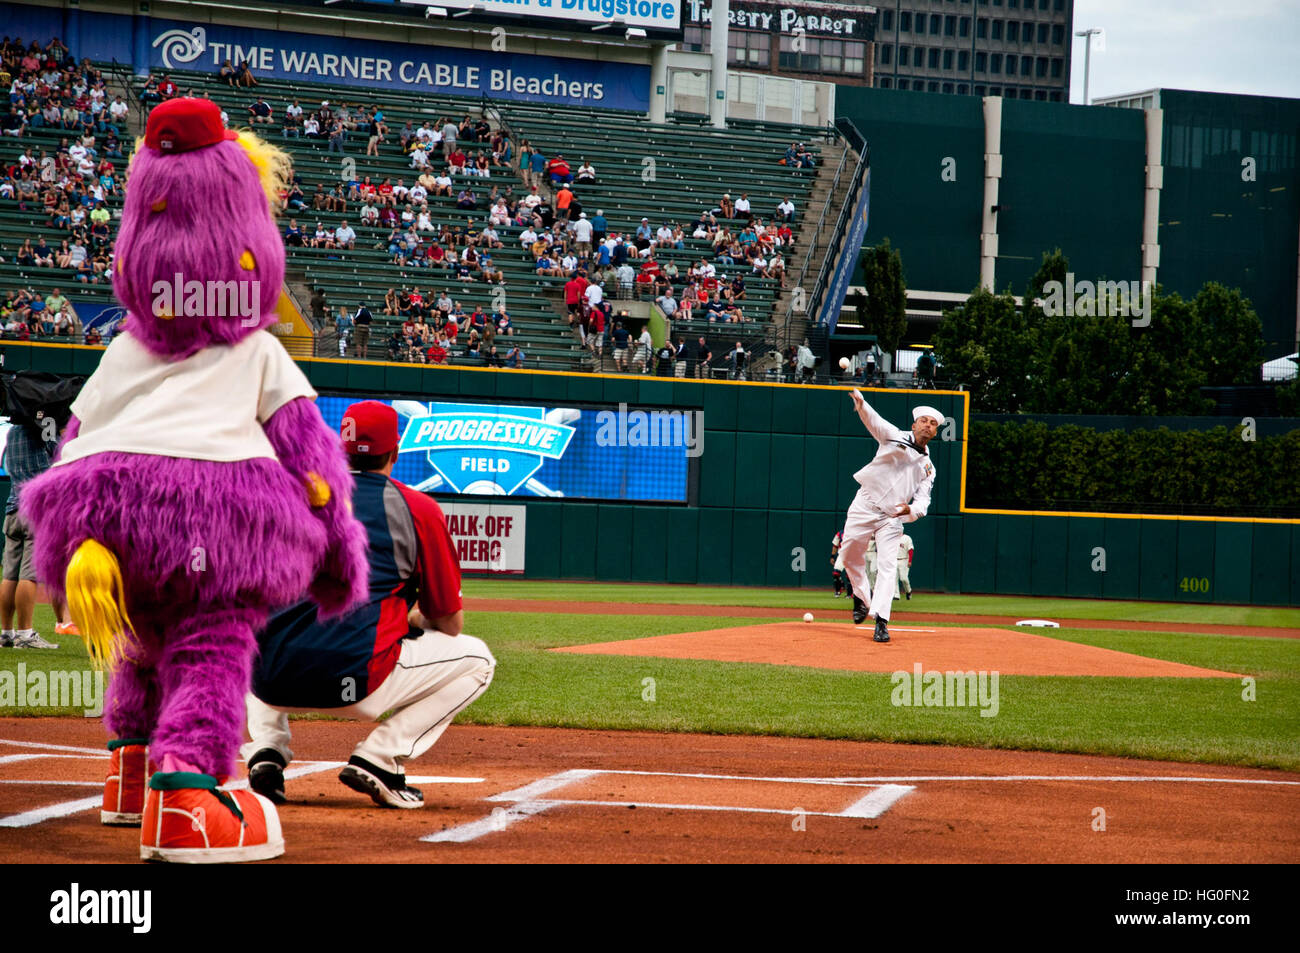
[1221, 46]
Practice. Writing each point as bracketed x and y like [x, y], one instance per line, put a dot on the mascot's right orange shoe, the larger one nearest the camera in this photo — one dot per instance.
[188, 820]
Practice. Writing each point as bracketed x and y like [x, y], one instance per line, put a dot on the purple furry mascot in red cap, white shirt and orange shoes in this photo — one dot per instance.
[197, 488]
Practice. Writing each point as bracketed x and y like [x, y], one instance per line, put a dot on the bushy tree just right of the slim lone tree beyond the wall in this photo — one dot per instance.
[986, 344]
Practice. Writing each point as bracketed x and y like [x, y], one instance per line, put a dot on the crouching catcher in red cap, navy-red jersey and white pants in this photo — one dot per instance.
[401, 651]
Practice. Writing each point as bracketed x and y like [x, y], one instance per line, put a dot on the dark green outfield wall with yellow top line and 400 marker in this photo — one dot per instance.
[774, 483]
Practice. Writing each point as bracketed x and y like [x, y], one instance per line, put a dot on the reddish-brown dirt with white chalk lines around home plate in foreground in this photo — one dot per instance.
[545, 795]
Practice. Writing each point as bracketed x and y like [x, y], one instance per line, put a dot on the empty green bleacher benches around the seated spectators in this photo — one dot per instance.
[664, 172]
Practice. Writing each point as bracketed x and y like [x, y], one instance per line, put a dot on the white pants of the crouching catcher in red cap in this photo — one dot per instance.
[436, 678]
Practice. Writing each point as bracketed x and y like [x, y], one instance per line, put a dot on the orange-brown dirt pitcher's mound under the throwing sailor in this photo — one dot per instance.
[829, 646]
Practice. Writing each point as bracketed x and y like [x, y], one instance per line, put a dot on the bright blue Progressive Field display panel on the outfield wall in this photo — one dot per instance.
[519, 450]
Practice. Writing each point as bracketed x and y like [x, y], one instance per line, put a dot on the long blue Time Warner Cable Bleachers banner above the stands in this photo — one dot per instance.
[171, 45]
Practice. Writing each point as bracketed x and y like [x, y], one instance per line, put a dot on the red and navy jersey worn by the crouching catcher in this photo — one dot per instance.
[307, 664]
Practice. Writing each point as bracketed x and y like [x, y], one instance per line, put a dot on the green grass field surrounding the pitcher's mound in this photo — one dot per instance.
[1178, 720]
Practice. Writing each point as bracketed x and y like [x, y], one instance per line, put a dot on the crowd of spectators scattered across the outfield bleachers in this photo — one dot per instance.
[76, 185]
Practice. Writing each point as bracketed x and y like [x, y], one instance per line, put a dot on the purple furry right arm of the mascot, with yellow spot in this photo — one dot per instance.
[310, 452]
